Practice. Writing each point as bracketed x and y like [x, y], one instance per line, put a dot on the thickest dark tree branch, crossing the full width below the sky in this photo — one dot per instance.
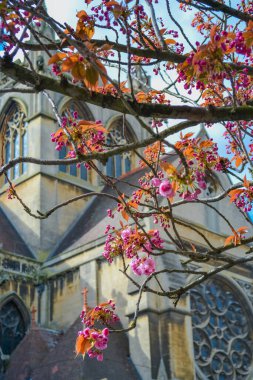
[195, 114]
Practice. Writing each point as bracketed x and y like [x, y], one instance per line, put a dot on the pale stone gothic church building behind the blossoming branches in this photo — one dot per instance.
[45, 264]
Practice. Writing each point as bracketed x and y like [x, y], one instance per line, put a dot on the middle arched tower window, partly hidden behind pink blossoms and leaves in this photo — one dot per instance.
[79, 172]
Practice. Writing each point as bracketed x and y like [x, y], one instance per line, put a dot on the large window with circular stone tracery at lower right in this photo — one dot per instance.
[222, 332]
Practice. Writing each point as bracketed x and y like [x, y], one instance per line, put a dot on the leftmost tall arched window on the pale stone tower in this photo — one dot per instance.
[14, 137]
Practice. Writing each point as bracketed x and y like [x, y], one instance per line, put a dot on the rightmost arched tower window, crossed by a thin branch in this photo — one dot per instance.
[119, 135]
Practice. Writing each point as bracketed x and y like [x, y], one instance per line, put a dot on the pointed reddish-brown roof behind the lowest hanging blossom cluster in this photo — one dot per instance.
[62, 363]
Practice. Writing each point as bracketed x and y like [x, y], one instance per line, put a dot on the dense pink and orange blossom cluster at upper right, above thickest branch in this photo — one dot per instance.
[205, 65]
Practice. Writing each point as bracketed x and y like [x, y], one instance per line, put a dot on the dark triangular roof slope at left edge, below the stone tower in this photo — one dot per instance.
[10, 240]
